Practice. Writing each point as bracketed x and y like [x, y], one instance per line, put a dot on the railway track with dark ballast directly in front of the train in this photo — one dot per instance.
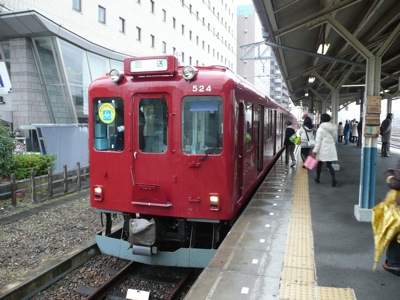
[87, 274]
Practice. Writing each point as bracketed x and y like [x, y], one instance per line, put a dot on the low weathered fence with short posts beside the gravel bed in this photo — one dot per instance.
[44, 187]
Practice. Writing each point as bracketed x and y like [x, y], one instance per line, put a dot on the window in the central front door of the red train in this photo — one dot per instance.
[153, 125]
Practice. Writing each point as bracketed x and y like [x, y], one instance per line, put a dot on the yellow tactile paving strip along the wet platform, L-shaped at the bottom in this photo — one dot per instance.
[298, 281]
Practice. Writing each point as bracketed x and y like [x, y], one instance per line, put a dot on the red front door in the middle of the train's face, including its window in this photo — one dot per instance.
[151, 158]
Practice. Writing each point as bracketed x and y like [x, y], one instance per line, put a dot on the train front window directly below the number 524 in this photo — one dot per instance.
[202, 125]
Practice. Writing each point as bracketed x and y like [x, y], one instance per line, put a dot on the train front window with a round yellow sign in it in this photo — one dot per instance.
[108, 123]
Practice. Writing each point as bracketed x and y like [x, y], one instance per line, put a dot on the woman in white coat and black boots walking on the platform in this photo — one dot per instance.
[325, 147]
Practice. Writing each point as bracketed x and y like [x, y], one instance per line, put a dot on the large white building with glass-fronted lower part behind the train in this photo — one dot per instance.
[51, 50]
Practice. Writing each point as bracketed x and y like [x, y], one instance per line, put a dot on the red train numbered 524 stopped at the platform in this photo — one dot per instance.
[178, 151]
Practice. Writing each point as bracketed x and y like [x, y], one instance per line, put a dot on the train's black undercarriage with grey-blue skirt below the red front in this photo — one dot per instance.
[163, 240]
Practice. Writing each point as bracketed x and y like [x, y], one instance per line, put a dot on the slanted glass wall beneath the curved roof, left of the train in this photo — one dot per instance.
[67, 71]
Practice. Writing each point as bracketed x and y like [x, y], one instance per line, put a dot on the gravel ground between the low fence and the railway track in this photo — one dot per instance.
[37, 233]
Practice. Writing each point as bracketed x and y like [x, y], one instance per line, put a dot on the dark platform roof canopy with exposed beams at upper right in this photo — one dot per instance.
[296, 29]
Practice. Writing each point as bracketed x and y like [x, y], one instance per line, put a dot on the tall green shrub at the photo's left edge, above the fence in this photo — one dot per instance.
[7, 145]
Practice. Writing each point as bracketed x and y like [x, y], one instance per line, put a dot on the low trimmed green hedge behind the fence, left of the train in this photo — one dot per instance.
[24, 163]
